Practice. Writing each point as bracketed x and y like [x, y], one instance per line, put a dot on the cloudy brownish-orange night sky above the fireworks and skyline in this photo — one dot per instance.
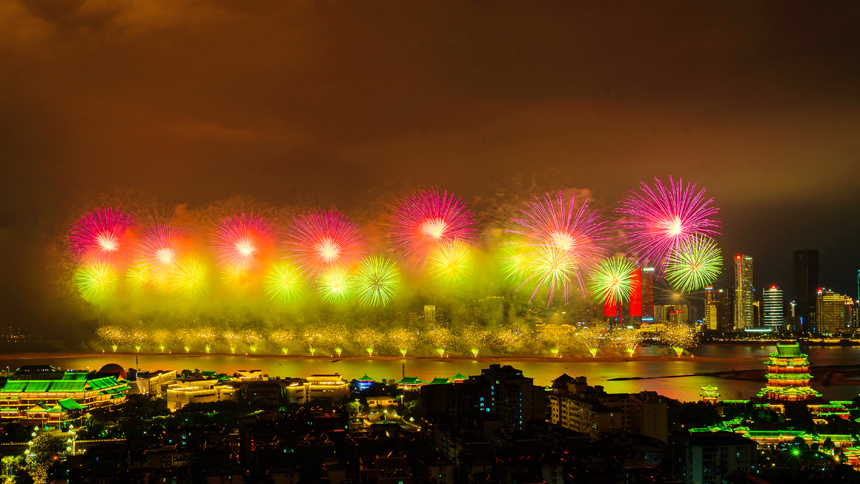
[193, 101]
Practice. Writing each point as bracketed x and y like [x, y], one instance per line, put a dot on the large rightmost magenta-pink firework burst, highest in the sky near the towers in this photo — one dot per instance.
[661, 219]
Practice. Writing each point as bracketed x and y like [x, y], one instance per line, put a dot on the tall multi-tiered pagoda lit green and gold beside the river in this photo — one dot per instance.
[788, 376]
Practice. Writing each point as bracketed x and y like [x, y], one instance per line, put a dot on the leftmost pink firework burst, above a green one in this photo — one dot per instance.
[103, 235]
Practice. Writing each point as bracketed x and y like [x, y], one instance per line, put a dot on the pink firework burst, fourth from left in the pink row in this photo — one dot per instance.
[324, 239]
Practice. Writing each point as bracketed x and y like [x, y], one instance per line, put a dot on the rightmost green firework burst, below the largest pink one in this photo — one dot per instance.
[694, 264]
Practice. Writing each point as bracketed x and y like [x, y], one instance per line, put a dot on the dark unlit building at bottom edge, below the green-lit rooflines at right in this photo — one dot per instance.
[709, 457]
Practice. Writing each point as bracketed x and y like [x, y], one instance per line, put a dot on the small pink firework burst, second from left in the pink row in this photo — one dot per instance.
[158, 250]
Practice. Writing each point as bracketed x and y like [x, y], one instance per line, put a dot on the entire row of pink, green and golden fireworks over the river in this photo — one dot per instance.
[230, 280]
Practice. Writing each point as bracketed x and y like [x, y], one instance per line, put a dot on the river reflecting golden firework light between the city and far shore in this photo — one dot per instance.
[707, 359]
